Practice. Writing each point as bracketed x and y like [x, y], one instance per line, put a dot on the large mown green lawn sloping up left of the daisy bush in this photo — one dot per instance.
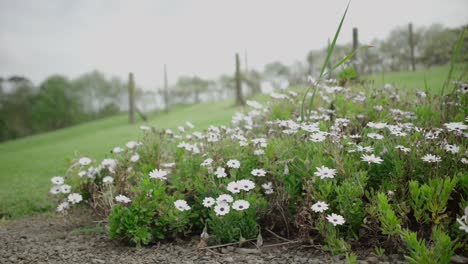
[26, 165]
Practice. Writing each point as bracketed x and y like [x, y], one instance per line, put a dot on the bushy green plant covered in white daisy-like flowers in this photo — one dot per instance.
[367, 165]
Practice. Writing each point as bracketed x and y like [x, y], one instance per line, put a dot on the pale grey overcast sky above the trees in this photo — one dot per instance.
[40, 38]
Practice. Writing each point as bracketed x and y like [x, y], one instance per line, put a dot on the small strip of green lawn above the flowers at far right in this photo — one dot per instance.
[435, 77]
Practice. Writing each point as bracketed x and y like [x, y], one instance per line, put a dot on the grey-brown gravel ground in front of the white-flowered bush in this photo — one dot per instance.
[48, 239]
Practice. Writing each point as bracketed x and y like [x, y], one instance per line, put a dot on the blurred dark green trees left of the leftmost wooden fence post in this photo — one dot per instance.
[57, 102]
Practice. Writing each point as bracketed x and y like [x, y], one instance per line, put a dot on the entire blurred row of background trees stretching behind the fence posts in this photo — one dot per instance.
[58, 102]
